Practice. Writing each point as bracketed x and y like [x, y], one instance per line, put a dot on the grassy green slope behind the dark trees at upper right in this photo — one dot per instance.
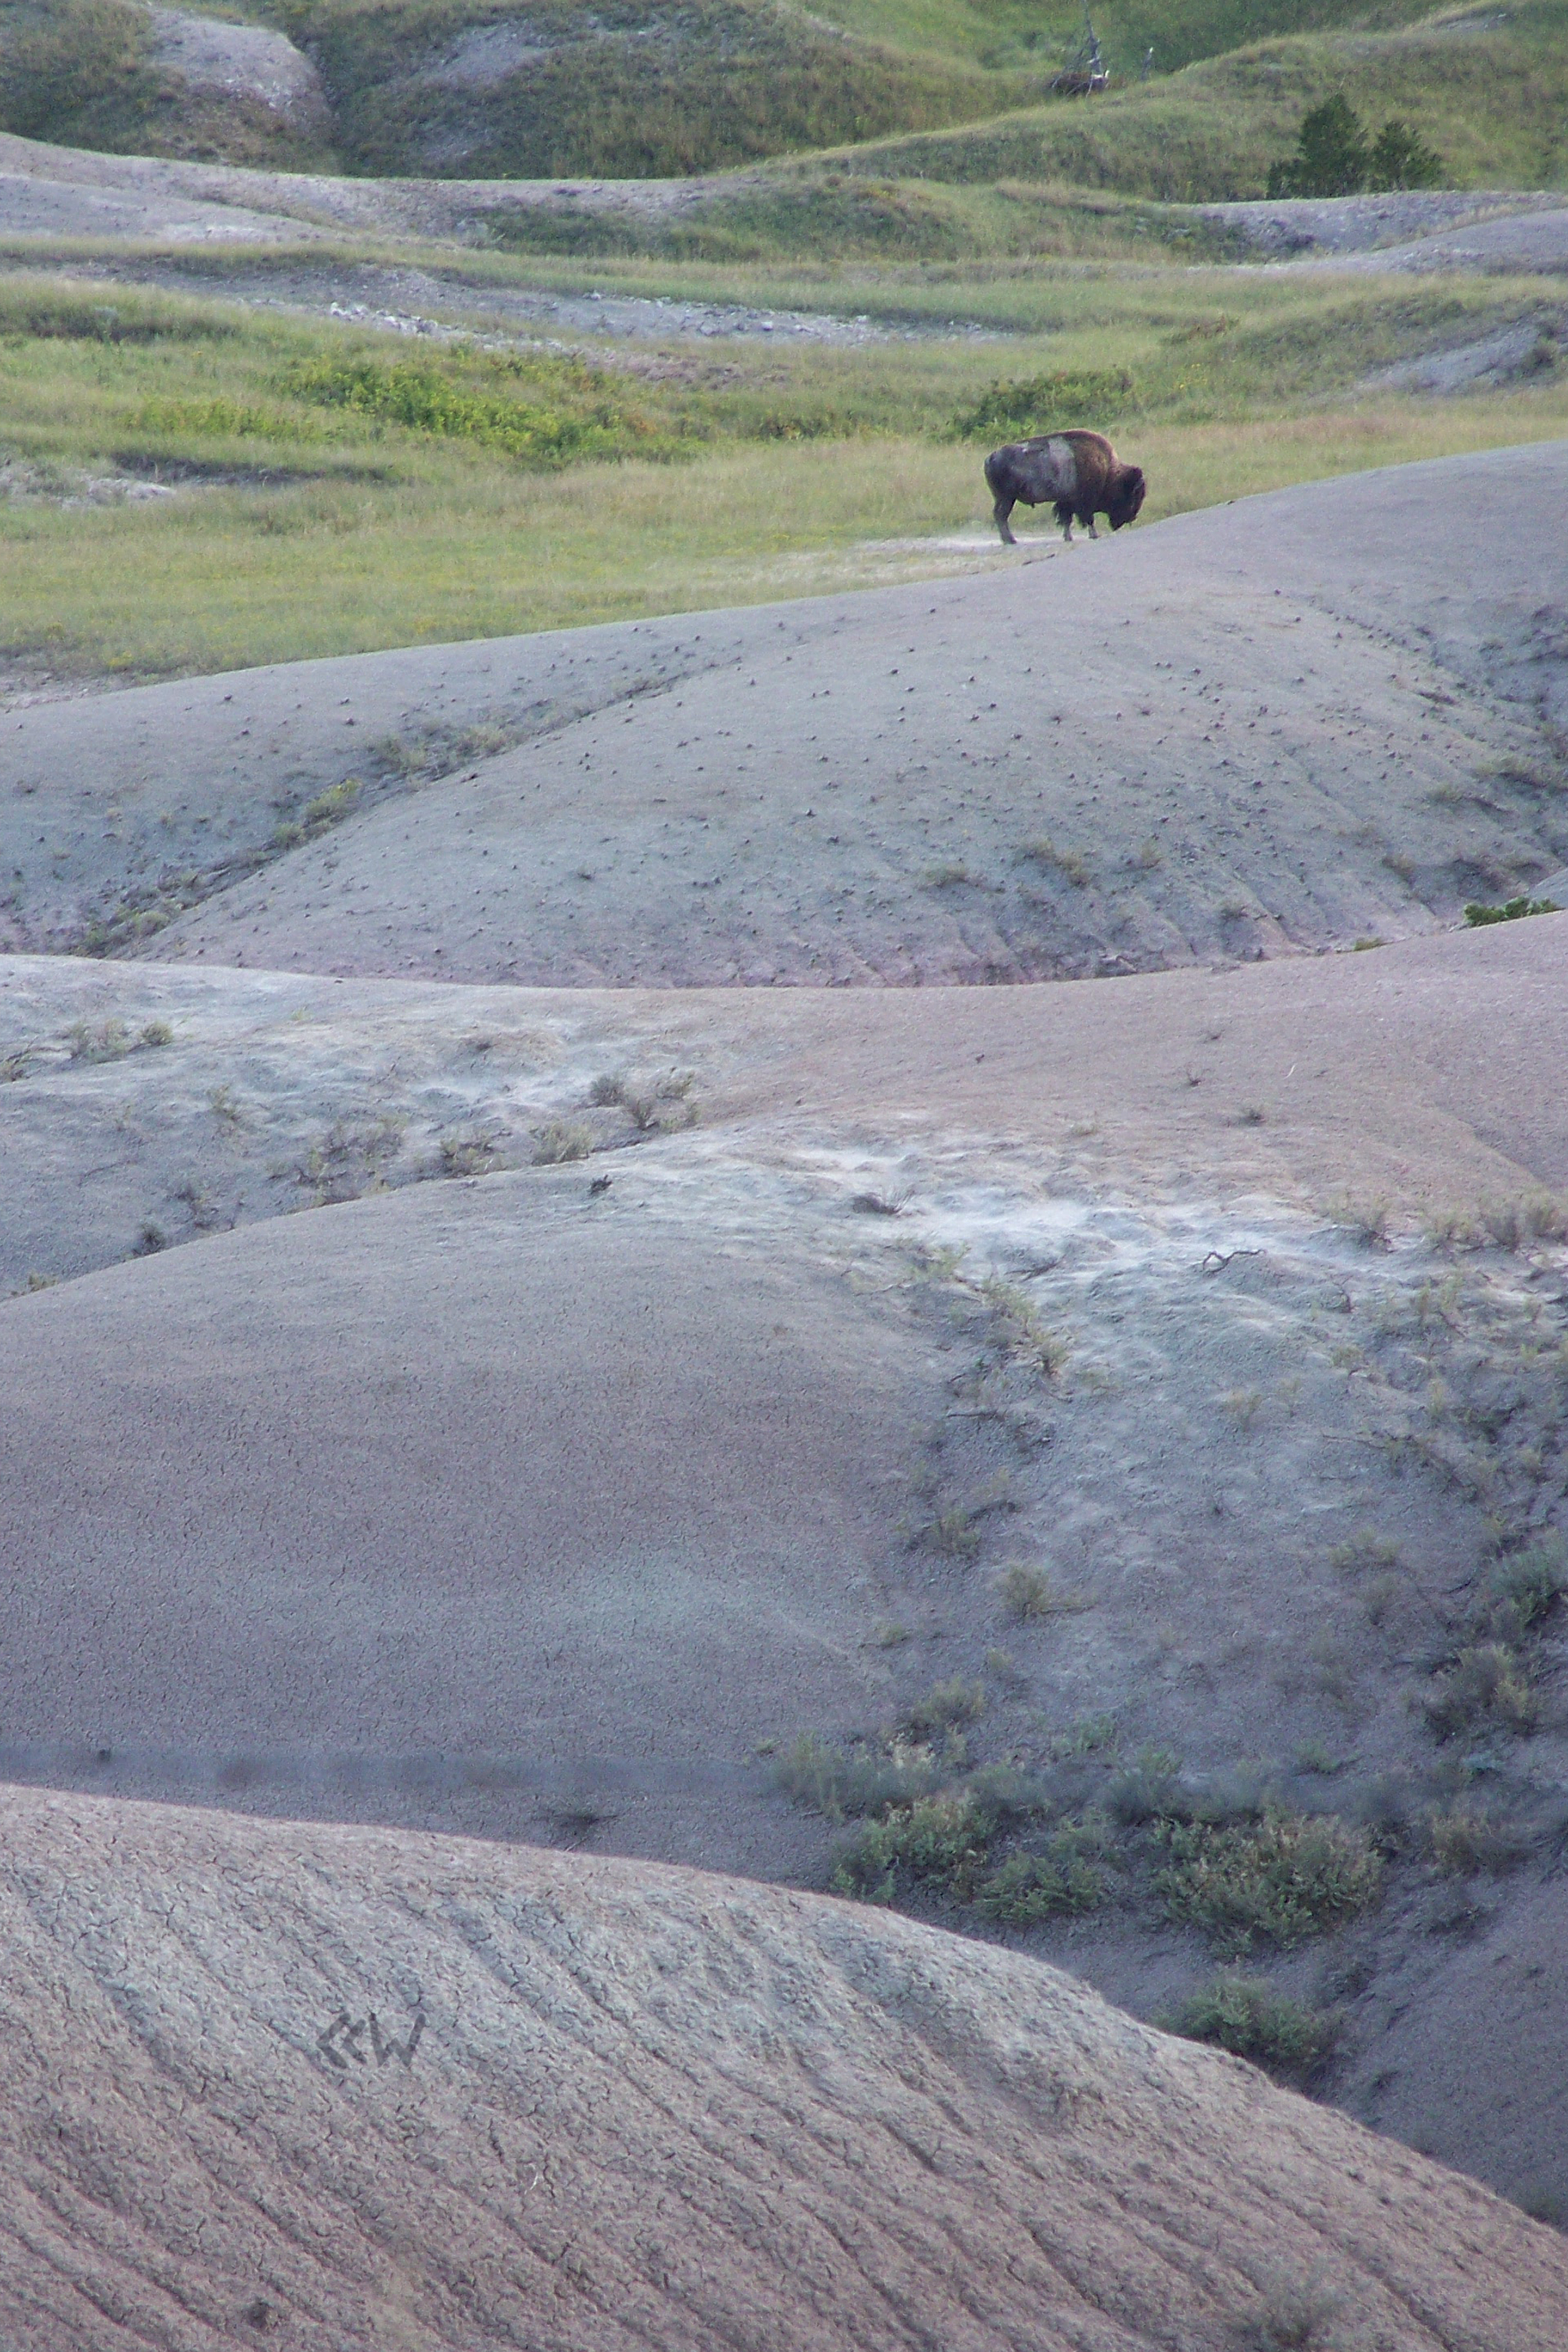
[1489, 93]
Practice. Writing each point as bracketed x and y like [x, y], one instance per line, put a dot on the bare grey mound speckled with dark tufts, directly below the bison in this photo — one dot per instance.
[1261, 728]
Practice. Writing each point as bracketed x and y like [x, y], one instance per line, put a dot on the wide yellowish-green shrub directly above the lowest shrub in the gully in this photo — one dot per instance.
[1285, 1878]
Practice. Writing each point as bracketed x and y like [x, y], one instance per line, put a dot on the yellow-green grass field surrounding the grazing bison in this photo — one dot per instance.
[340, 490]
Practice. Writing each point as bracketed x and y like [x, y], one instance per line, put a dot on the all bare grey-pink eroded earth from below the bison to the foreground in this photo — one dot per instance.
[455, 1419]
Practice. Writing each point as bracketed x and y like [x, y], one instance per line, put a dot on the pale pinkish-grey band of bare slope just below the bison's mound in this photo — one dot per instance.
[1409, 1076]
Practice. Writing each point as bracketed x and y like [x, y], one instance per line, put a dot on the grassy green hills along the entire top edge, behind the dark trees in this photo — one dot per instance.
[904, 88]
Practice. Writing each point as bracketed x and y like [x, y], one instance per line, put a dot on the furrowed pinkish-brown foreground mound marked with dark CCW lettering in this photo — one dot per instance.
[340, 2087]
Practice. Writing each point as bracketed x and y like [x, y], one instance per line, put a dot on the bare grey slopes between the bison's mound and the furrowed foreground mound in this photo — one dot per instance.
[594, 1499]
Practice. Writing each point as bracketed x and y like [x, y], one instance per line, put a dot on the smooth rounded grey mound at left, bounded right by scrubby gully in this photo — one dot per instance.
[563, 1485]
